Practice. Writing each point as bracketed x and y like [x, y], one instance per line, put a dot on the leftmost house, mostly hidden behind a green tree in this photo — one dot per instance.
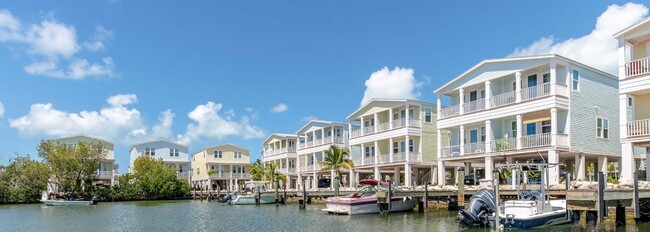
[108, 169]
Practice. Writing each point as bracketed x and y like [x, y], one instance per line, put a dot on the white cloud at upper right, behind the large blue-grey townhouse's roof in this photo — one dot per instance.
[598, 48]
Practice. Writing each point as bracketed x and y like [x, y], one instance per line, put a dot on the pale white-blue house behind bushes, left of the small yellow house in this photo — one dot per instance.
[173, 155]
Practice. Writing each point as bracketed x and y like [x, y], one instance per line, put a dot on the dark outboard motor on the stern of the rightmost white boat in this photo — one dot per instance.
[481, 206]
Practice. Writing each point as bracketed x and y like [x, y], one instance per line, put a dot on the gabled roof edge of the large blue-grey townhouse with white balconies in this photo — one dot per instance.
[496, 74]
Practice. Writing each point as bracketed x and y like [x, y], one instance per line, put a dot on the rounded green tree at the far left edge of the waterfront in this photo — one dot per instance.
[23, 180]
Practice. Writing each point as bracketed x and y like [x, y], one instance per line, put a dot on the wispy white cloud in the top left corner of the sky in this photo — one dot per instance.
[53, 47]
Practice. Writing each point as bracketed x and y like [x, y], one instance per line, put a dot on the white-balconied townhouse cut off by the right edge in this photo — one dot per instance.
[634, 95]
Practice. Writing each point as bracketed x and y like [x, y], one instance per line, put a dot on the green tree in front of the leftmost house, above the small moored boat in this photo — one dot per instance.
[74, 167]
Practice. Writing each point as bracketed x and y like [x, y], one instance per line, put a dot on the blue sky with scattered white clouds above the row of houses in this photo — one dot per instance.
[230, 63]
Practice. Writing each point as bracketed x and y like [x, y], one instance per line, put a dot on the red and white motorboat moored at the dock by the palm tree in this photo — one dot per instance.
[364, 201]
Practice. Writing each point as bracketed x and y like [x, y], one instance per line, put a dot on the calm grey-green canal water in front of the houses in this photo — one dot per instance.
[211, 216]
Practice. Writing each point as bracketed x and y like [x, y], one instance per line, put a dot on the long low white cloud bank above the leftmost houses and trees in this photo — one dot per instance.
[117, 122]
